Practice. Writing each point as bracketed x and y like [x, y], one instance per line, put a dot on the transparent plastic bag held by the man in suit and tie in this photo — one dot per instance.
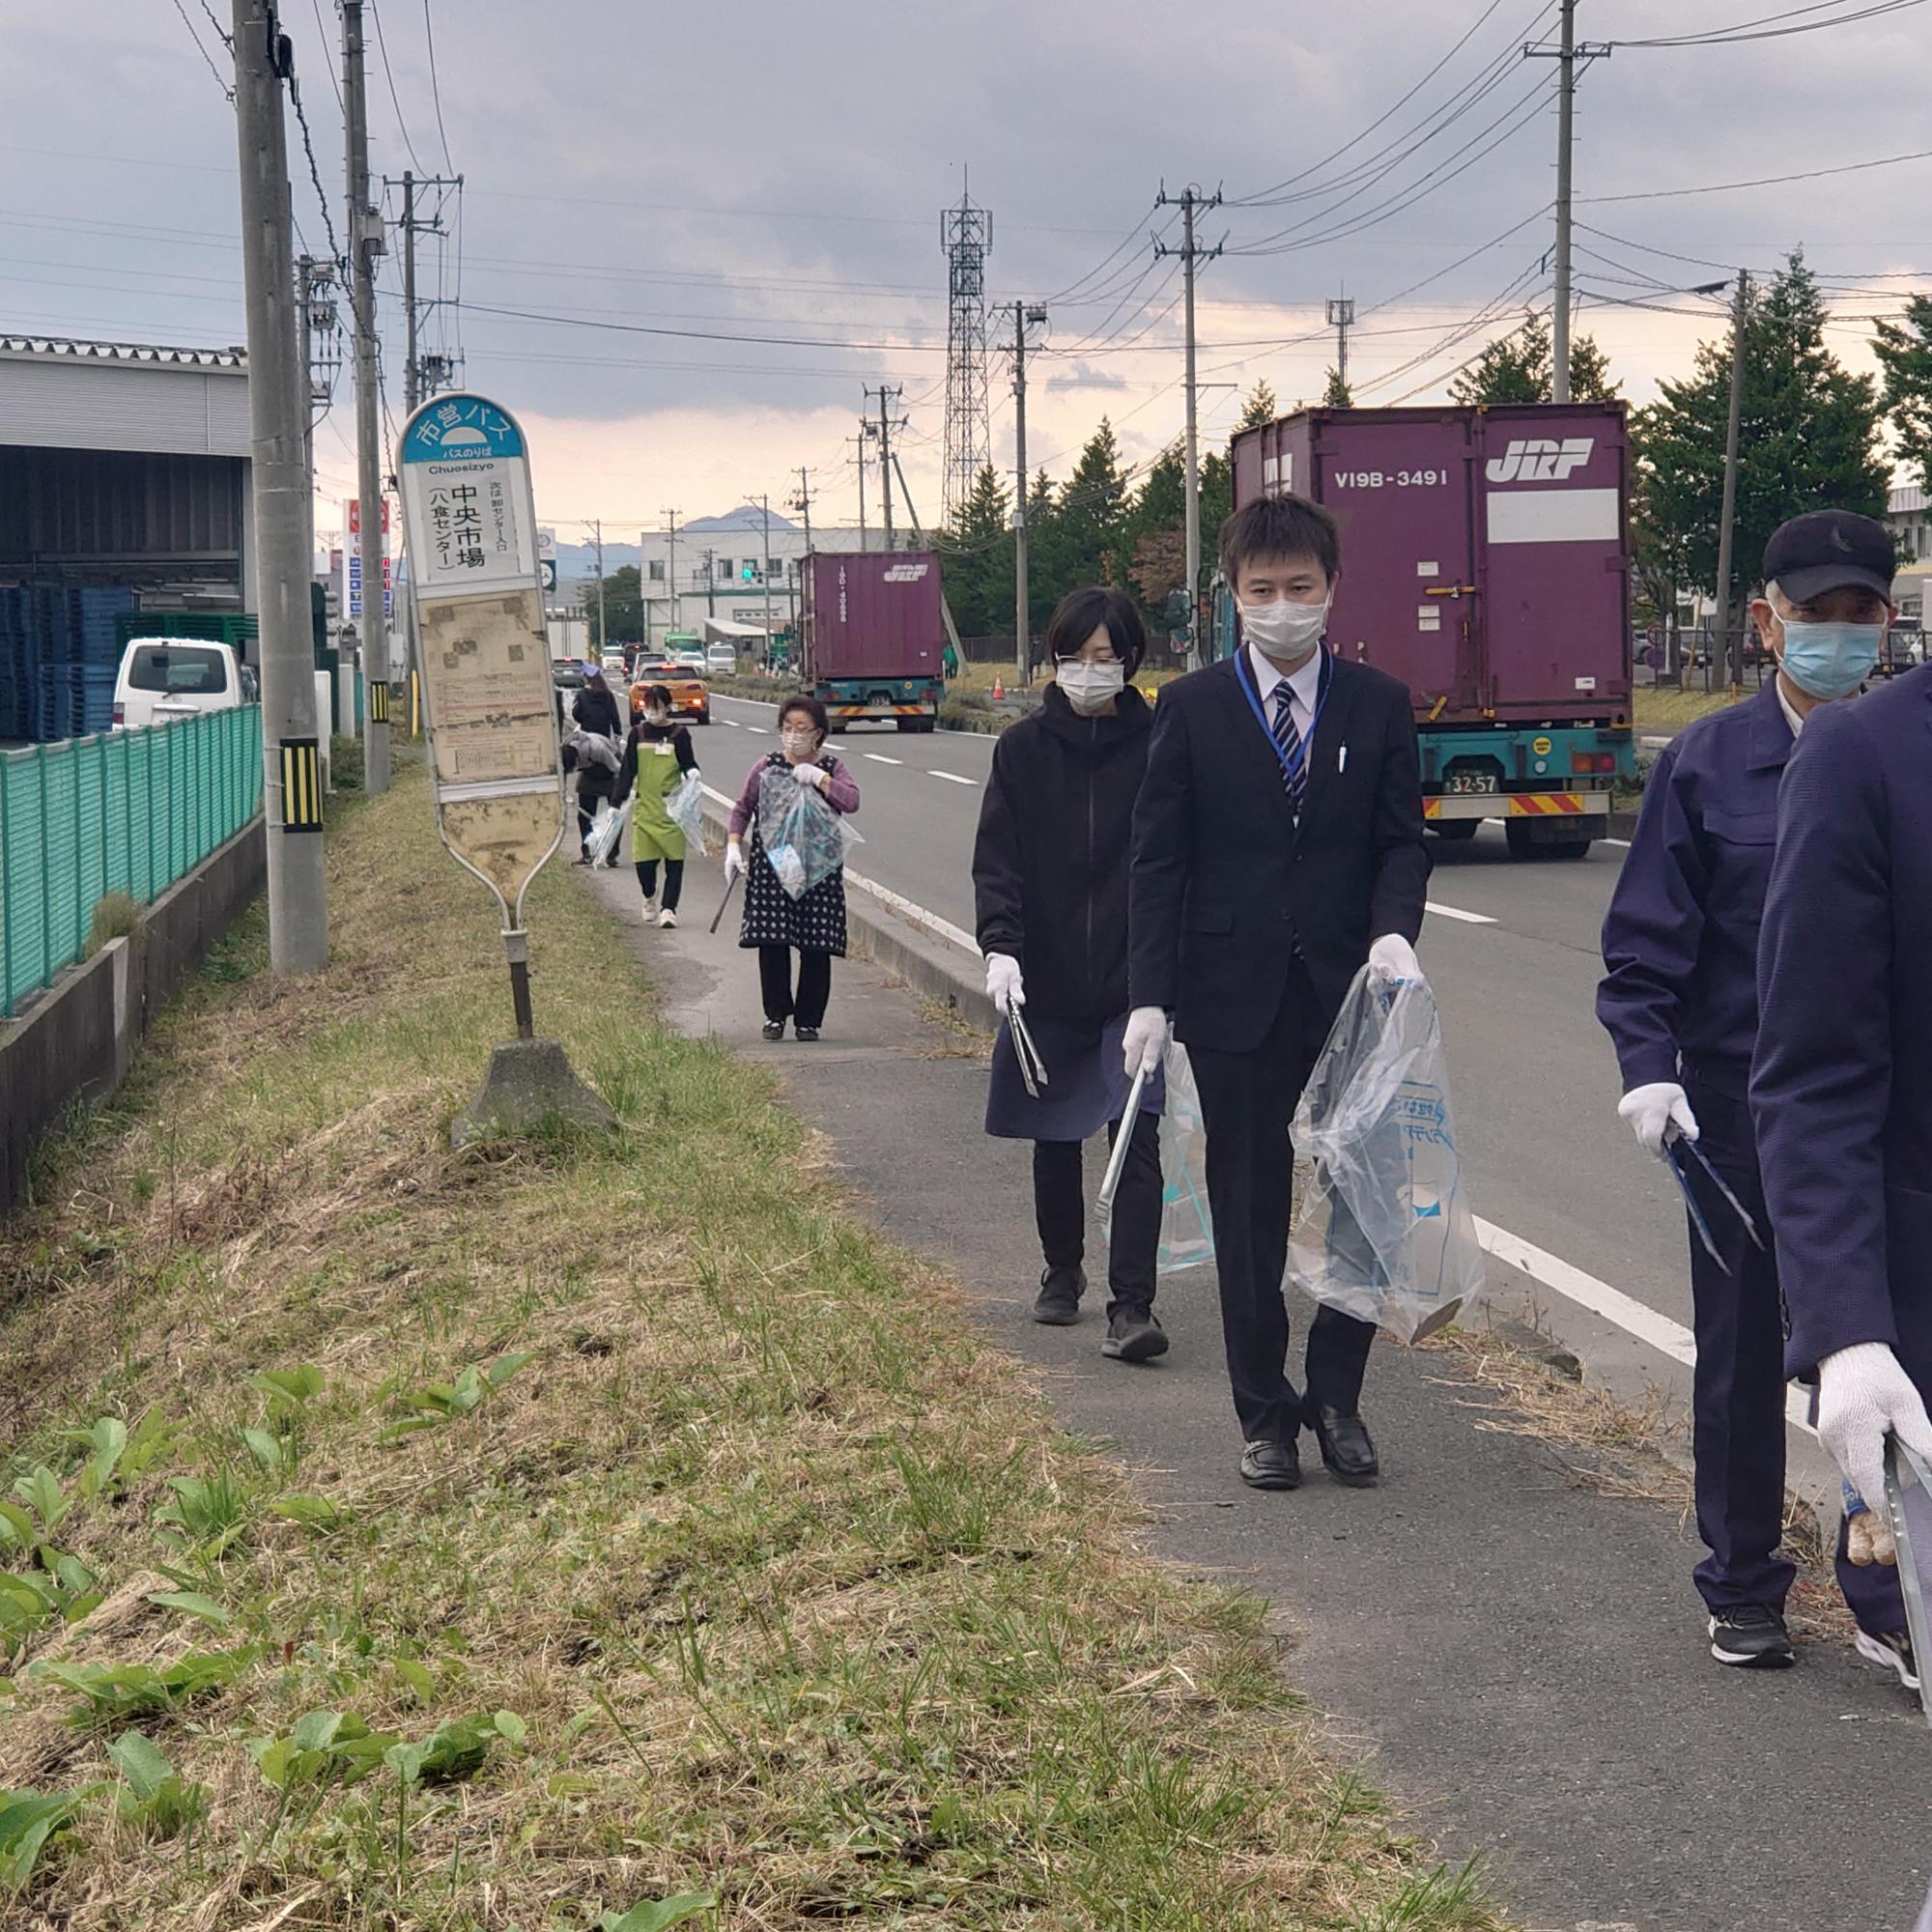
[1384, 1230]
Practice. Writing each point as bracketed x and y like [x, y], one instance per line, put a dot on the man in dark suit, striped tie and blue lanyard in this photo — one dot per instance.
[1278, 845]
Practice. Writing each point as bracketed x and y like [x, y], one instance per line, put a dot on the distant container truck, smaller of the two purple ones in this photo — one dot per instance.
[874, 635]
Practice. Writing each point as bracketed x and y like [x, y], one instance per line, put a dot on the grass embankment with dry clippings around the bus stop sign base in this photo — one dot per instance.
[420, 1541]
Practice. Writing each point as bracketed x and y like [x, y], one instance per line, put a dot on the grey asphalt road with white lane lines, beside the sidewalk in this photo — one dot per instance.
[1533, 1073]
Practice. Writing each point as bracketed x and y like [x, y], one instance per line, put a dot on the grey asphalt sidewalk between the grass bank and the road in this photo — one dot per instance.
[1512, 1651]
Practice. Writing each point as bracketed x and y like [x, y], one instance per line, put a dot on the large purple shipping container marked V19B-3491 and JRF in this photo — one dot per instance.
[1485, 552]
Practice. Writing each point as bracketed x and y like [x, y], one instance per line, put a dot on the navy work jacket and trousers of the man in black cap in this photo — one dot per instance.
[1680, 1000]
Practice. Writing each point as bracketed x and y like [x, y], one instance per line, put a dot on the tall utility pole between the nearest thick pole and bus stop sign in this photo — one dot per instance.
[366, 242]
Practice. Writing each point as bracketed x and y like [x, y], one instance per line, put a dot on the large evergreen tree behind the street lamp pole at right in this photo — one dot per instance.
[1807, 440]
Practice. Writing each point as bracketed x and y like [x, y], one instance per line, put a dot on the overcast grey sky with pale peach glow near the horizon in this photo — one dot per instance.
[778, 171]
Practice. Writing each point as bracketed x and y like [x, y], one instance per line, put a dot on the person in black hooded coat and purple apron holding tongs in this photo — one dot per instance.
[1050, 890]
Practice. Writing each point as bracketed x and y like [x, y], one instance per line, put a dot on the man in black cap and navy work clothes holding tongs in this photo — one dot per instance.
[1680, 1000]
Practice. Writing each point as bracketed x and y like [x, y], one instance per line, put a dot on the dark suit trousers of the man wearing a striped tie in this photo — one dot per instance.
[1249, 1106]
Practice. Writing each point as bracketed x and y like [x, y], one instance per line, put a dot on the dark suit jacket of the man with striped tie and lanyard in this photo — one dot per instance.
[1224, 884]
